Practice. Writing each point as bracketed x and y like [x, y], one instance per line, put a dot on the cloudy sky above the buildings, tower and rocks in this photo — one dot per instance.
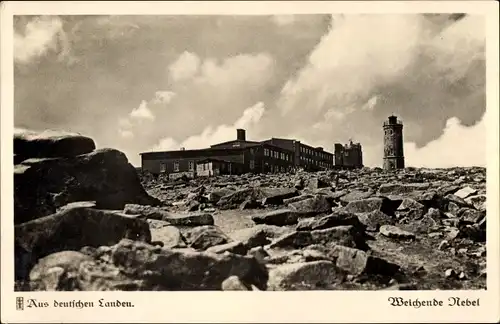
[142, 83]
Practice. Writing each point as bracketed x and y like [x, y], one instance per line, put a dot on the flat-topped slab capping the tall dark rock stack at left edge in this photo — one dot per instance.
[49, 144]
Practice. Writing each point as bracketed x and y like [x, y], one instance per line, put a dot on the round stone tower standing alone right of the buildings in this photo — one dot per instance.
[393, 144]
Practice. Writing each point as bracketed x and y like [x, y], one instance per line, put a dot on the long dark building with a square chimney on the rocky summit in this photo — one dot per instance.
[269, 156]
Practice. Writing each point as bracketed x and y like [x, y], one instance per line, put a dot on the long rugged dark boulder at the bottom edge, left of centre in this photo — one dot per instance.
[186, 270]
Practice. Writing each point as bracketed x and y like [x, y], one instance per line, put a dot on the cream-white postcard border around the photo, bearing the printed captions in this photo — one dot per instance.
[303, 306]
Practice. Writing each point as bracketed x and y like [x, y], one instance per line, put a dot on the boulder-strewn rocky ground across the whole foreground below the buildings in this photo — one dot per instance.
[85, 220]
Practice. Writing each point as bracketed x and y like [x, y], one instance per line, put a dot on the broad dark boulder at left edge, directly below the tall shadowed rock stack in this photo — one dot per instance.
[72, 229]
